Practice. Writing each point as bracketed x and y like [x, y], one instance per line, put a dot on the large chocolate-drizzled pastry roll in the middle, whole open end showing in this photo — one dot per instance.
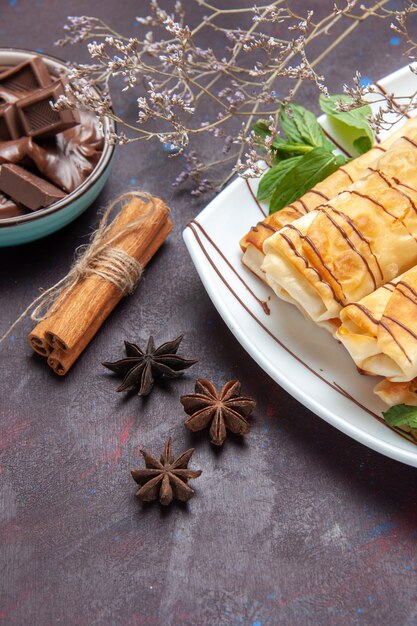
[348, 247]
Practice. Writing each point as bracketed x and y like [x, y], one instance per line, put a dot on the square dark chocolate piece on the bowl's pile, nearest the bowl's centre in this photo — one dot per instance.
[37, 116]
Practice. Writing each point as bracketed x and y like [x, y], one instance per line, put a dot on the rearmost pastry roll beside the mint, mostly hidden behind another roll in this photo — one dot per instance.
[252, 243]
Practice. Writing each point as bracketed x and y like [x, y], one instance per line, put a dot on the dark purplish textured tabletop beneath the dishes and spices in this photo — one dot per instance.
[296, 525]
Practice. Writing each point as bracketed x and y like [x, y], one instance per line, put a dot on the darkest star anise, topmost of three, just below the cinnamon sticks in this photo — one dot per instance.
[139, 368]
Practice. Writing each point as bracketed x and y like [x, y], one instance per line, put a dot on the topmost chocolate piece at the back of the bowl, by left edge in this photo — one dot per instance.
[24, 78]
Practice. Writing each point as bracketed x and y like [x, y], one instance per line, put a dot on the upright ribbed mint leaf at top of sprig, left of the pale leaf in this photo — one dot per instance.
[301, 126]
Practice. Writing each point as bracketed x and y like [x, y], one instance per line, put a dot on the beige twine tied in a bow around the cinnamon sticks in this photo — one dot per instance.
[101, 257]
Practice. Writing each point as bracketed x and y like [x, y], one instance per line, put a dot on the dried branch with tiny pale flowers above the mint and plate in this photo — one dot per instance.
[247, 73]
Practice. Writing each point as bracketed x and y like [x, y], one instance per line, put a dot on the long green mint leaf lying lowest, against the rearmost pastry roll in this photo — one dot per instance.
[311, 169]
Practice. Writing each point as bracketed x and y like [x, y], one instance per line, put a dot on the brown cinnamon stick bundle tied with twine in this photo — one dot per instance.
[81, 308]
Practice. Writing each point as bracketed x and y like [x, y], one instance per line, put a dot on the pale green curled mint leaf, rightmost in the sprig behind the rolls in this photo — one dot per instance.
[356, 119]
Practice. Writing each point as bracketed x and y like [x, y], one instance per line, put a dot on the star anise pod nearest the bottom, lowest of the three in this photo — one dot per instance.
[165, 479]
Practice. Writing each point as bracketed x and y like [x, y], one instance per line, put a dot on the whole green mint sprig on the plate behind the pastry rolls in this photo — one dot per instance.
[305, 156]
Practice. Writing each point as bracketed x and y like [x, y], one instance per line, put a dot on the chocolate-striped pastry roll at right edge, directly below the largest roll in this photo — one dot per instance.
[380, 331]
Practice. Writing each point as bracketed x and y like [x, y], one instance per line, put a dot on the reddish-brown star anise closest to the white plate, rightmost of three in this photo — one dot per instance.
[227, 410]
